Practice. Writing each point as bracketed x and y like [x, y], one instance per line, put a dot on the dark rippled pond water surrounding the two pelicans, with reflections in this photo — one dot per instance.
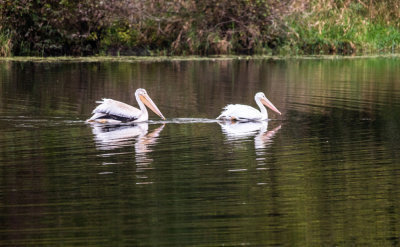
[325, 173]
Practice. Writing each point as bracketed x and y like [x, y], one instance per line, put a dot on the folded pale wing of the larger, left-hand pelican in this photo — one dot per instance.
[116, 108]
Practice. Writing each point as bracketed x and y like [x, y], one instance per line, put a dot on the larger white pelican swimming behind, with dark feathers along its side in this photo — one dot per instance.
[112, 111]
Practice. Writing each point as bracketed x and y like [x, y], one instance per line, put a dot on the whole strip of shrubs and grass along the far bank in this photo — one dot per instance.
[189, 27]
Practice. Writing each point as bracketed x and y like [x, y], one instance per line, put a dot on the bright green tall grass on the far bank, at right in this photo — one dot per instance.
[344, 27]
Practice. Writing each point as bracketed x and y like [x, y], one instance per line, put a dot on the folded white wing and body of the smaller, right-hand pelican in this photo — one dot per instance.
[240, 113]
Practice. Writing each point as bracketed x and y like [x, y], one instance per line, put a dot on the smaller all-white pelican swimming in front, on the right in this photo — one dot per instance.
[245, 113]
